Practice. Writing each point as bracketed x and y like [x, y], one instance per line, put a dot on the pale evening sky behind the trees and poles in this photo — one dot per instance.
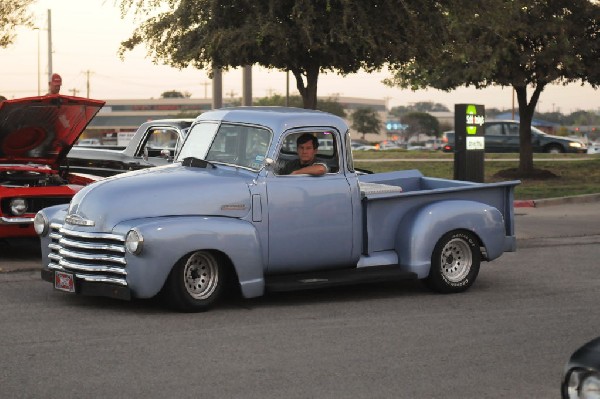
[86, 35]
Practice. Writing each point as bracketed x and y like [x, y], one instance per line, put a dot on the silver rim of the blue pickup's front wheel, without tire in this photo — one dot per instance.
[201, 275]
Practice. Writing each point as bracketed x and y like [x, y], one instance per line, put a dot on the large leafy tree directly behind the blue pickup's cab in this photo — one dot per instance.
[301, 36]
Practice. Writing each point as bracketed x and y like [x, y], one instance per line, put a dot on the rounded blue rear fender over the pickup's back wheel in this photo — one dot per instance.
[419, 231]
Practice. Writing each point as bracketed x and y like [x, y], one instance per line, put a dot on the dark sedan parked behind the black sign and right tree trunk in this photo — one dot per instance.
[503, 136]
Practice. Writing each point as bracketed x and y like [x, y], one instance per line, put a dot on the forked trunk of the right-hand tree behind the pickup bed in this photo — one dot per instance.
[526, 111]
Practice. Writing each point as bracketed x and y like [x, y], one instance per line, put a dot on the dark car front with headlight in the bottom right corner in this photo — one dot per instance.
[581, 378]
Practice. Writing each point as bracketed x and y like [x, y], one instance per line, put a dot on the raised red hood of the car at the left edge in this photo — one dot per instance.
[43, 129]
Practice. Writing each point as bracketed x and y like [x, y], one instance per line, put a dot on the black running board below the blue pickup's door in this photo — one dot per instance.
[333, 278]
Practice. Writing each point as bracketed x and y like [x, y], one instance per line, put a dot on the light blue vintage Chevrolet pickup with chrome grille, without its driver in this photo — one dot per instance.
[222, 216]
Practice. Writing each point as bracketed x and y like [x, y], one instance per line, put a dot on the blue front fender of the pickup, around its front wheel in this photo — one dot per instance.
[168, 239]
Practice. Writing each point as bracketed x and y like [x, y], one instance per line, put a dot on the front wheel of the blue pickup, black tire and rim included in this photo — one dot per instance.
[196, 282]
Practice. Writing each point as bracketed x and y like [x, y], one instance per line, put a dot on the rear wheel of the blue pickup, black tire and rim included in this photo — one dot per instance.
[454, 263]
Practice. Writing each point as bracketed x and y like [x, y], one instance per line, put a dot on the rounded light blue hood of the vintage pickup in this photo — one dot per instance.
[171, 190]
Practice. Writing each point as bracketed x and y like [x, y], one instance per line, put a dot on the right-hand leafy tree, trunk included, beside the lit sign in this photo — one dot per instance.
[523, 44]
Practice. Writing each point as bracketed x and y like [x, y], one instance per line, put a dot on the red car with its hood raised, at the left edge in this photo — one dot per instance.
[36, 133]
